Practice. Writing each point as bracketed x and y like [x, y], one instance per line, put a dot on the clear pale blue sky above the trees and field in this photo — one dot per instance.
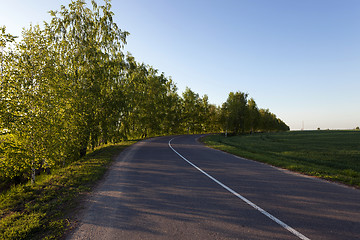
[299, 58]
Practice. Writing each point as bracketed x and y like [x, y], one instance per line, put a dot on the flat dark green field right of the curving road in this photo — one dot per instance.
[332, 155]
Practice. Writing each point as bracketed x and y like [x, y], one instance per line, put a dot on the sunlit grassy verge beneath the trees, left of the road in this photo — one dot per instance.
[40, 211]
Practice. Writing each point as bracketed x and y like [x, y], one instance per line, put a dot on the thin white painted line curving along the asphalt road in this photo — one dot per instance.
[278, 221]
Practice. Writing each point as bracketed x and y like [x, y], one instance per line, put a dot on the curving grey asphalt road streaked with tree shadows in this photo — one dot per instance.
[151, 192]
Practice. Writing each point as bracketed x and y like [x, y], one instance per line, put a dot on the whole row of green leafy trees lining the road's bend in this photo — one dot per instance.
[68, 87]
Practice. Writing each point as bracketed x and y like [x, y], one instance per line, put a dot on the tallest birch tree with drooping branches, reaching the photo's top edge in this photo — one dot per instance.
[90, 44]
